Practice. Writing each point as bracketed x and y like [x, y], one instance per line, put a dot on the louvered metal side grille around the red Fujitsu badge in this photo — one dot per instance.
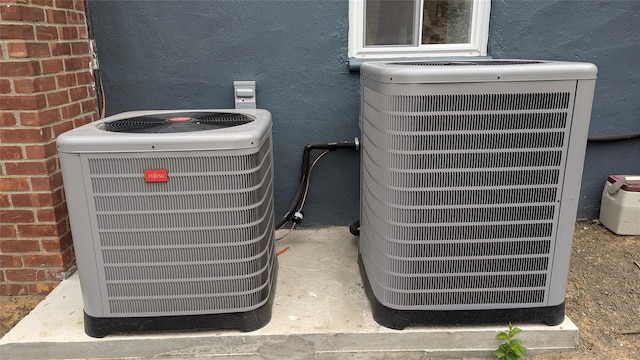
[202, 242]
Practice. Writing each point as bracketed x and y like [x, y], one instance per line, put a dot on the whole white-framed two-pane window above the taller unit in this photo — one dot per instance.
[418, 28]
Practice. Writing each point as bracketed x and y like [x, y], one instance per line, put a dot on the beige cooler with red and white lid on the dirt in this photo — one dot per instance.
[620, 207]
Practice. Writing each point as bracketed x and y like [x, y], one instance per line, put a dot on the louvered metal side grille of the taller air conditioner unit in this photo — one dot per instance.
[460, 194]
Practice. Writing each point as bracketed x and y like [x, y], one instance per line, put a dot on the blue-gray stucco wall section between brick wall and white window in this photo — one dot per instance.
[186, 54]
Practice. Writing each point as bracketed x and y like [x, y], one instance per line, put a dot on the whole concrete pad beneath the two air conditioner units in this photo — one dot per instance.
[320, 312]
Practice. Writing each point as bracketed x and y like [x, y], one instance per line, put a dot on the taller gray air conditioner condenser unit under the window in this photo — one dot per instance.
[470, 183]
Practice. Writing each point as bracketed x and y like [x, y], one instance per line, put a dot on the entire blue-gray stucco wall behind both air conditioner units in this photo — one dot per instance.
[186, 54]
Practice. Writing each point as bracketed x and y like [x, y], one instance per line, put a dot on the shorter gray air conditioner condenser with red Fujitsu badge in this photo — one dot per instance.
[172, 219]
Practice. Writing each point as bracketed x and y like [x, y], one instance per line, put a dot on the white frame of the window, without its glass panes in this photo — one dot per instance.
[477, 46]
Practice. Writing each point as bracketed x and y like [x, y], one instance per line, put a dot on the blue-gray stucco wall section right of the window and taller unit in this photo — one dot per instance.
[600, 32]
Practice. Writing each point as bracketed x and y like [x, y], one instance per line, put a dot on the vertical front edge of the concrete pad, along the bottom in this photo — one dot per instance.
[317, 346]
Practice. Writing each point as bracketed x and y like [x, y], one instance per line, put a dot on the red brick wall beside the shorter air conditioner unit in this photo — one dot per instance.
[46, 88]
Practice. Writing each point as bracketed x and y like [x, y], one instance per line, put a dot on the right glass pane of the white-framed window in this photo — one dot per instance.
[446, 21]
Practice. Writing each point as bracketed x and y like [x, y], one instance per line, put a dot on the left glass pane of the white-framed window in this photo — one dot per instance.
[389, 22]
